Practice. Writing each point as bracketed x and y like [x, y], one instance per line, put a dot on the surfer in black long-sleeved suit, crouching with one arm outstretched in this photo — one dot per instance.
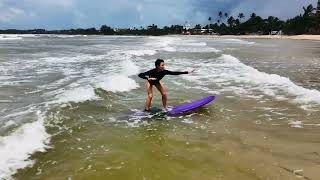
[153, 77]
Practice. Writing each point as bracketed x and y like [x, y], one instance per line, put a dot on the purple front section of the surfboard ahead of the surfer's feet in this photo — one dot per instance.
[190, 106]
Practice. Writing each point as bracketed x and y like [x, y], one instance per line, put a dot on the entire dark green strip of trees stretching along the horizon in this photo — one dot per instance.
[306, 23]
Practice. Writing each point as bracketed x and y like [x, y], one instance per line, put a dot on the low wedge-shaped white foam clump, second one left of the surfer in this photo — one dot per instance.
[79, 94]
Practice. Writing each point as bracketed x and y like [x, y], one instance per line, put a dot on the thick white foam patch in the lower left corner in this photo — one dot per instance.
[16, 149]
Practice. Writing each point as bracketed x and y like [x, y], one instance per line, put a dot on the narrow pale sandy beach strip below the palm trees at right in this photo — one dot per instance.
[294, 37]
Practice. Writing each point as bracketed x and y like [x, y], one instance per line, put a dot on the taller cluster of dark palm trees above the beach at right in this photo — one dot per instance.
[306, 23]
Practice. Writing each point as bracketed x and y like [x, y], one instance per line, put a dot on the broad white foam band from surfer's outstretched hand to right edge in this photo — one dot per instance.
[229, 74]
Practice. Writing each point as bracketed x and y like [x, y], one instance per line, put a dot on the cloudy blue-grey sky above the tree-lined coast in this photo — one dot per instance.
[65, 14]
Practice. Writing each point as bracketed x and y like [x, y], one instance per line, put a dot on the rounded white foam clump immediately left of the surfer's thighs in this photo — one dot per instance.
[117, 83]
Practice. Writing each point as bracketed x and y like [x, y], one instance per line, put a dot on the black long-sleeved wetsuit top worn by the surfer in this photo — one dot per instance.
[153, 73]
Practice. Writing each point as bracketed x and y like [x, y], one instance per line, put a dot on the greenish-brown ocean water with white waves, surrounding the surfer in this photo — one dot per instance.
[66, 106]
